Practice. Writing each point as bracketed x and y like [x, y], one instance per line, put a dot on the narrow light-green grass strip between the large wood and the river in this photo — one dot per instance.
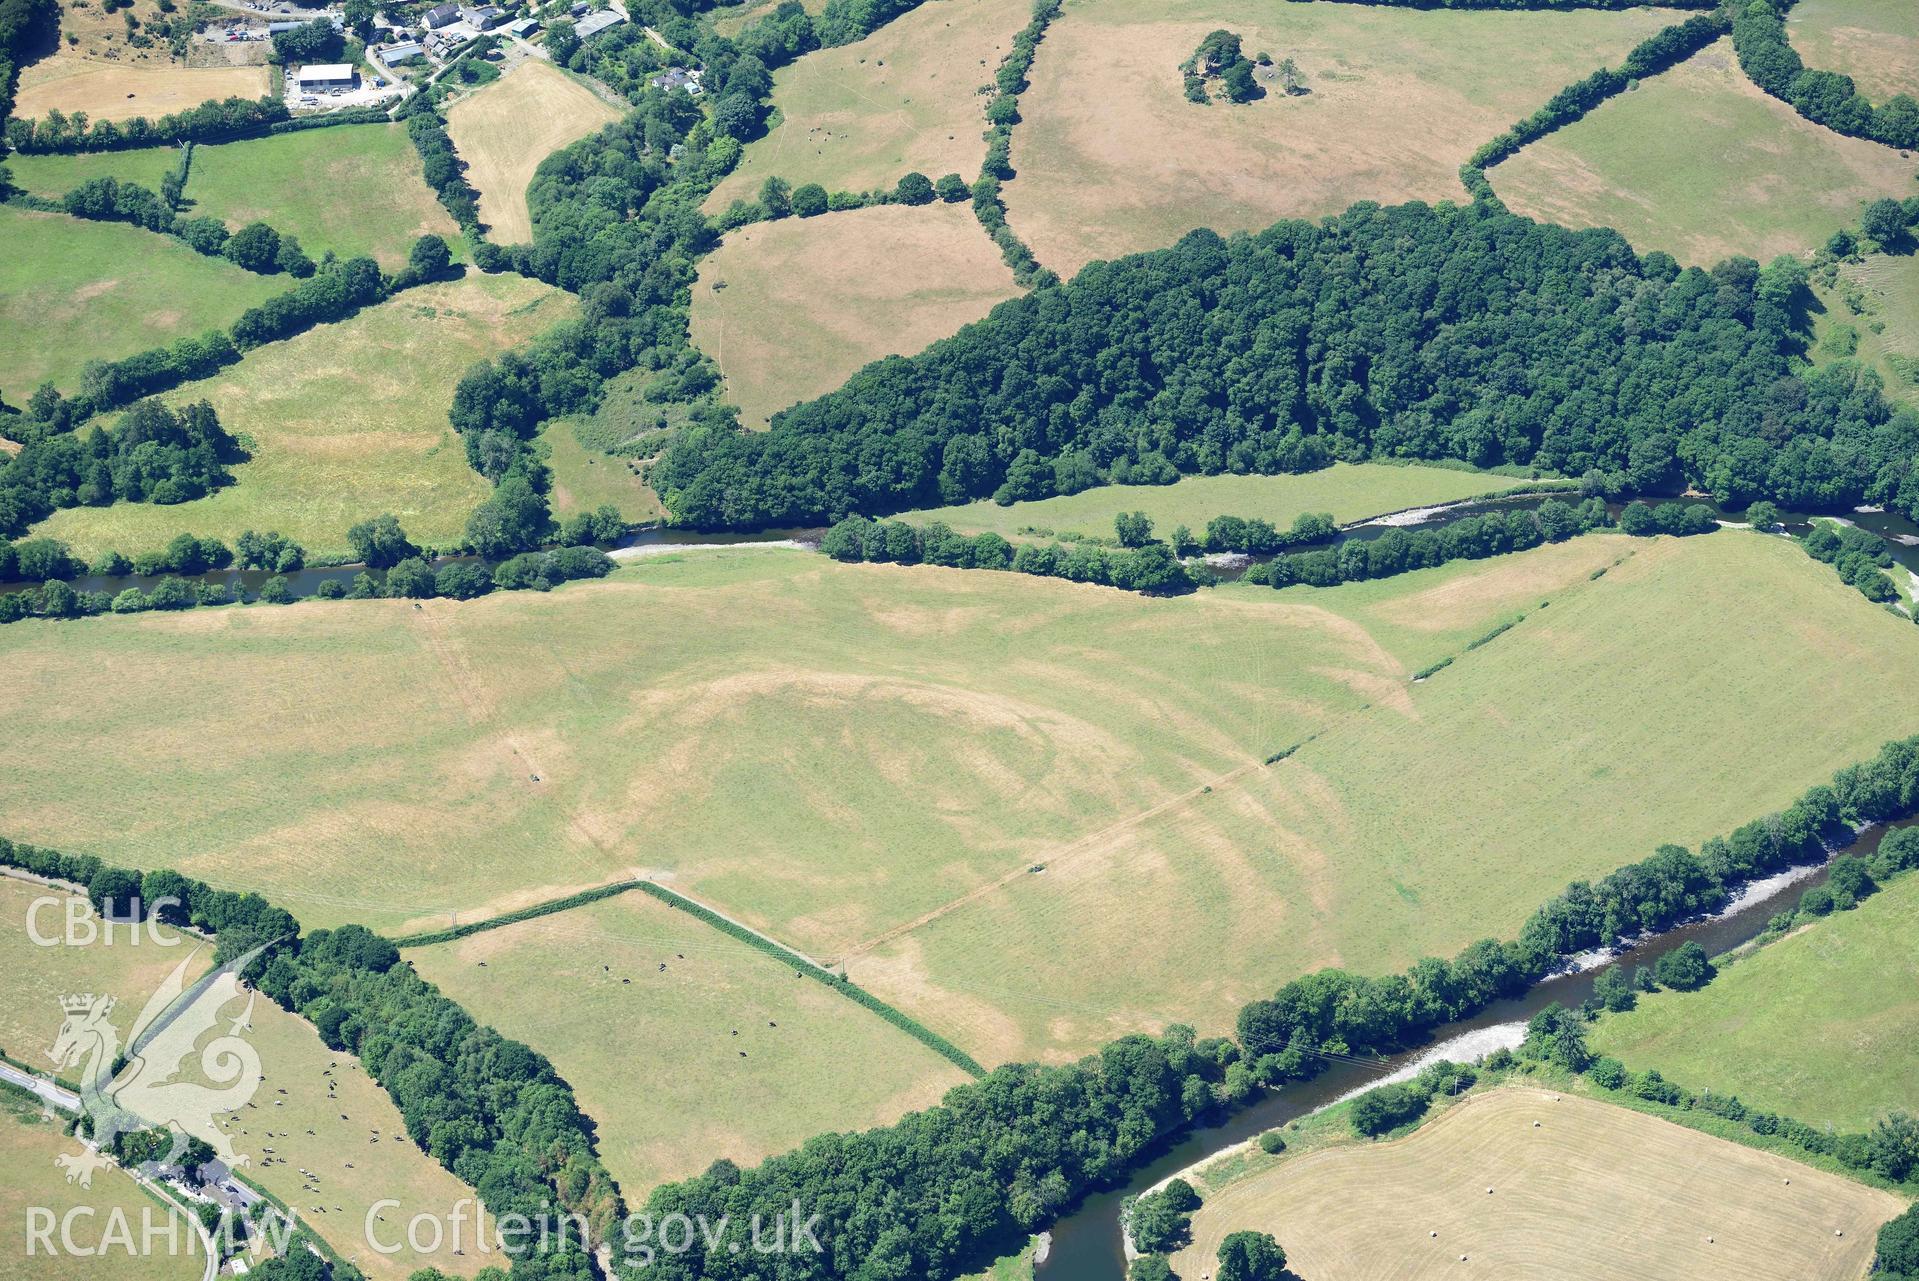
[1348, 490]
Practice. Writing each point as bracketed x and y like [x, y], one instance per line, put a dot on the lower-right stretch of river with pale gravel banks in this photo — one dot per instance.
[1087, 1244]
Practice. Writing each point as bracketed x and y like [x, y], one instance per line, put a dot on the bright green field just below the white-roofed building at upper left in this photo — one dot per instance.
[356, 191]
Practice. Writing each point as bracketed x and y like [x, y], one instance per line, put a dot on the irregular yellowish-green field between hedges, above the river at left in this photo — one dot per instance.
[346, 421]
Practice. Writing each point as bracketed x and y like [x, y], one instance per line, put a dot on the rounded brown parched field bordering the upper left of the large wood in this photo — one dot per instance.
[792, 310]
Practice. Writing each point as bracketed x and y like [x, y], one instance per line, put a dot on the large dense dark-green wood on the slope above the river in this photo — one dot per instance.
[1427, 333]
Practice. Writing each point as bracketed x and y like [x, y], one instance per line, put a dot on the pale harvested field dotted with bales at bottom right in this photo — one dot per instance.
[1523, 1182]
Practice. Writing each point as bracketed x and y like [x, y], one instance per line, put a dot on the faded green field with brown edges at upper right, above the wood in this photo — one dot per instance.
[1701, 164]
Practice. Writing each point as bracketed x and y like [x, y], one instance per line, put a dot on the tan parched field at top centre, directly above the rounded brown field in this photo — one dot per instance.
[905, 99]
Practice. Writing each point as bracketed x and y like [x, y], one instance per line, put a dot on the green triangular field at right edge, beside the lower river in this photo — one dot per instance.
[1822, 1025]
